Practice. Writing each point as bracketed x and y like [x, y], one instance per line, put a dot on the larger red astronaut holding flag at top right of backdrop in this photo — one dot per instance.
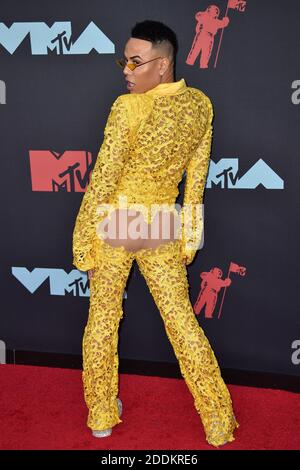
[209, 23]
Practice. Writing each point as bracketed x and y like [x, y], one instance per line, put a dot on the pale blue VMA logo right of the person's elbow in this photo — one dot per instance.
[225, 174]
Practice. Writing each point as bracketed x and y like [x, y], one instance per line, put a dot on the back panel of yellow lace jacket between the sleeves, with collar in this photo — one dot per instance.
[166, 125]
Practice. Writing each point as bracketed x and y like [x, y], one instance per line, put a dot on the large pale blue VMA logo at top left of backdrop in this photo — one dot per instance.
[56, 39]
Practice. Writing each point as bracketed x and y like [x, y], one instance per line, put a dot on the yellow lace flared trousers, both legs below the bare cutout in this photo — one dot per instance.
[166, 277]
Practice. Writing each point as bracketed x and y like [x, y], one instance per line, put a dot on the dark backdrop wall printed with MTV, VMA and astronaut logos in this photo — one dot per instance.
[58, 80]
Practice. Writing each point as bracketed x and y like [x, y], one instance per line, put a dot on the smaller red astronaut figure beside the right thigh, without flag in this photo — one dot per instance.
[210, 287]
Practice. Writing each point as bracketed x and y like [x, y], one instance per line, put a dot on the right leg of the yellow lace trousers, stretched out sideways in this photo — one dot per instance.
[166, 277]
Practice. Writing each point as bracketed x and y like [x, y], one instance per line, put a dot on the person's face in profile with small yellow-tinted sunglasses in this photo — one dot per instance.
[146, 76]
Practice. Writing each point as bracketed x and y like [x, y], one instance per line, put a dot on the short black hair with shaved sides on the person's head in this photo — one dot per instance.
[156, 32]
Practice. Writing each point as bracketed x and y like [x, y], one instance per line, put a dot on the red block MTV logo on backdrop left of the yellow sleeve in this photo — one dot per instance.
[54, 172]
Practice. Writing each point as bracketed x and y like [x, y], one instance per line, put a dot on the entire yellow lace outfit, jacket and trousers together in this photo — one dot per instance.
[149, 141]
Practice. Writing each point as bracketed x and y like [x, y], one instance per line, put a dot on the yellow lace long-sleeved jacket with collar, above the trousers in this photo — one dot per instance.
[150, 140]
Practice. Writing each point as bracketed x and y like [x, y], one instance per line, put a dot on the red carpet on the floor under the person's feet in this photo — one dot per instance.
[43, 408]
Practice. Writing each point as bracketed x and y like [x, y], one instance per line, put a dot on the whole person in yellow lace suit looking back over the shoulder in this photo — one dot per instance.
[156, 132]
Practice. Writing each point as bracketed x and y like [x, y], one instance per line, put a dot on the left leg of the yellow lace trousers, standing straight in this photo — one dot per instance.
[100, 339]
